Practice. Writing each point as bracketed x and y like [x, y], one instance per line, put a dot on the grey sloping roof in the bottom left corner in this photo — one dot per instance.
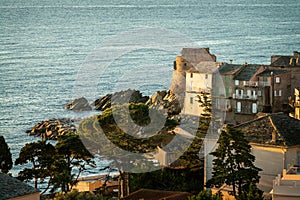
[11, 187]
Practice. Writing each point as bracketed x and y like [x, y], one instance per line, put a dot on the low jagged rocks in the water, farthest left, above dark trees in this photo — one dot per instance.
[52, 128]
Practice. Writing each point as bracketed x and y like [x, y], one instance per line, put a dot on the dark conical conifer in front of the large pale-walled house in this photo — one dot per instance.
[233, 162]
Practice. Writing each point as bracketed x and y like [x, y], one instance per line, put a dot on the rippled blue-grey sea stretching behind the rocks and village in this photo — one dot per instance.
[54, 51]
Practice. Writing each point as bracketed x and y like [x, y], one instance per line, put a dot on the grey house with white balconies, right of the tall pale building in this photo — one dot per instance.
[241, 88]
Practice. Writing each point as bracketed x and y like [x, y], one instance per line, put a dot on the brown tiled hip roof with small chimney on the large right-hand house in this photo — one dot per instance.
[260, 130]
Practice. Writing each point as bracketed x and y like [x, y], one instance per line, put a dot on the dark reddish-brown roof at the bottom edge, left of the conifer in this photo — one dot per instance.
[148, 194]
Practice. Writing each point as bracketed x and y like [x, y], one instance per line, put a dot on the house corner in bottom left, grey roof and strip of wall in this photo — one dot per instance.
[14, 189]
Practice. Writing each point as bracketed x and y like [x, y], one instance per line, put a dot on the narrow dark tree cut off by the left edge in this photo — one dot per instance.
[5, 156]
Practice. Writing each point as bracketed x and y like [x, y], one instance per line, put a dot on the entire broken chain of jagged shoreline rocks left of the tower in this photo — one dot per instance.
[52, 128]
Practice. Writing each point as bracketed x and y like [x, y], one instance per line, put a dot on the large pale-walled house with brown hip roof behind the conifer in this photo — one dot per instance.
[275, 143]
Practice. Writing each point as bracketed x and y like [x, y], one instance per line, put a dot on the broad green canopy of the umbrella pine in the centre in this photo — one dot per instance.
[103, 134]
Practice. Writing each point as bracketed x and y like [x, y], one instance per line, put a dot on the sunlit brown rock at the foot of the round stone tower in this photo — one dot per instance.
[165, 100]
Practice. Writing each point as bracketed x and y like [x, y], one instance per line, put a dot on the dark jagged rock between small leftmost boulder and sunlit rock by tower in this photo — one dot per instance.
[123, 97]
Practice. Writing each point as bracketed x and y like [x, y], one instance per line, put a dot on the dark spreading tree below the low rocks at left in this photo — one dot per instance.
[55, 163]
